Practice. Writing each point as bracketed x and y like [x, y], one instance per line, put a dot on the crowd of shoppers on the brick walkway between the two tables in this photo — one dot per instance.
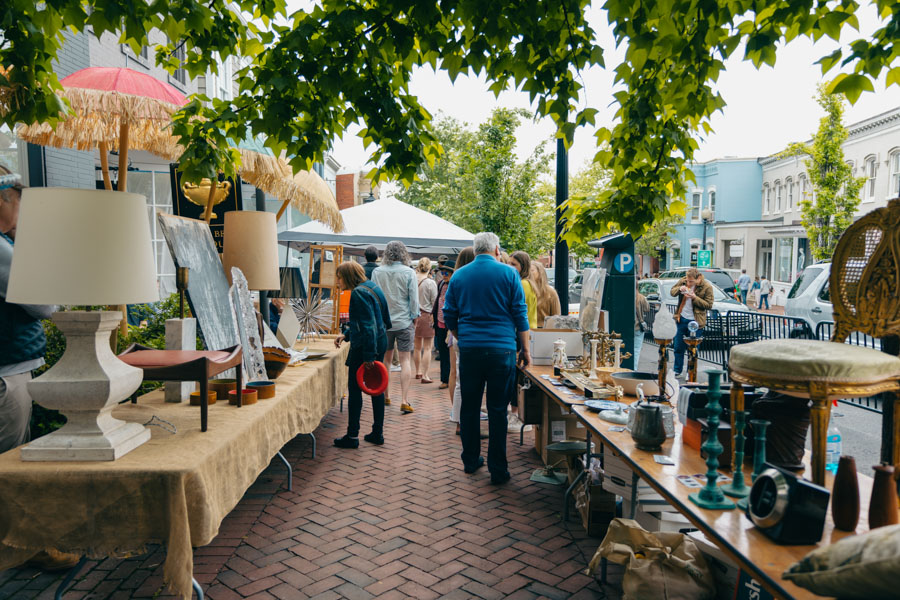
[476, 310]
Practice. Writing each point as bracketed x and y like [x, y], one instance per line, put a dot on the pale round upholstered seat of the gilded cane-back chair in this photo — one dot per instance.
[813, 360]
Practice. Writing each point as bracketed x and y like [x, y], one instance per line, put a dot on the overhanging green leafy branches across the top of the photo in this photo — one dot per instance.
[316, 73]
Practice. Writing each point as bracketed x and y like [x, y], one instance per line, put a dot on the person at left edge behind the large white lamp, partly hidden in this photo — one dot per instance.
[22, 348]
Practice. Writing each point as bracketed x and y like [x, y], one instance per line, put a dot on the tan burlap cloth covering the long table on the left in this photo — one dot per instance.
[173, 490]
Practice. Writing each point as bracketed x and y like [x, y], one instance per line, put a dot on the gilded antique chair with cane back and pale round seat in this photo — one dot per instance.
[865, 293]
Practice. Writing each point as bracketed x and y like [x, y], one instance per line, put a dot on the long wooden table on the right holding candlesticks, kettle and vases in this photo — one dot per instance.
[730, 530]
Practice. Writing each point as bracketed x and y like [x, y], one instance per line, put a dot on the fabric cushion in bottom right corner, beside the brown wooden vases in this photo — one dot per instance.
[865, 566]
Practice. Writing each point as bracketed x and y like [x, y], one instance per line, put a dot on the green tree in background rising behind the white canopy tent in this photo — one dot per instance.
[478, 184]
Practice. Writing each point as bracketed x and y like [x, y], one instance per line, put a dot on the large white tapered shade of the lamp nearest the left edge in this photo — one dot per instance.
[76, 246]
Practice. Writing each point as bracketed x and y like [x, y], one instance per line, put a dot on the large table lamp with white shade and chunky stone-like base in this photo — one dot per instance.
[84, 247]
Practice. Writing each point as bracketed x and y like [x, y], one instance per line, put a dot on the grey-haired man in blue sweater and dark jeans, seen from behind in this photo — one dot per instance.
[485, 309]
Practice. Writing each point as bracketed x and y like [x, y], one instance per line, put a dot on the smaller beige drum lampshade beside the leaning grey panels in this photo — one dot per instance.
[251, 244]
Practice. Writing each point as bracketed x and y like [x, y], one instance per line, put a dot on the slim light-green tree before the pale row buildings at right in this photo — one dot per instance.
[829, 212]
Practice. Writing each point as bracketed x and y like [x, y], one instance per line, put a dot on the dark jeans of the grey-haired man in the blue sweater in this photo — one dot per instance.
[496, 369]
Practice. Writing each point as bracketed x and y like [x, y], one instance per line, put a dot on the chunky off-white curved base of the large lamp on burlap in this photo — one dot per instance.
[85, 385]
